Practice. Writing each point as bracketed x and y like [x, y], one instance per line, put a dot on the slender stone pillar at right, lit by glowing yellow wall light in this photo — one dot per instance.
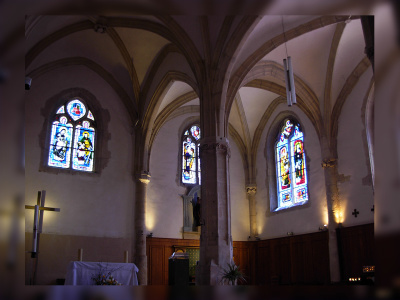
[334, 215]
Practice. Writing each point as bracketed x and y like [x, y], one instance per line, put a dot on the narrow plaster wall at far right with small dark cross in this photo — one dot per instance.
[355, 181]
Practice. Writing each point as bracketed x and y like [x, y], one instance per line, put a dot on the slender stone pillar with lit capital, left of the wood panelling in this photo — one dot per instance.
[140, 257]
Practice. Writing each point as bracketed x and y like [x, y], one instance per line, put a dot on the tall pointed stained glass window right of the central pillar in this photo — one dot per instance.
[291, 166]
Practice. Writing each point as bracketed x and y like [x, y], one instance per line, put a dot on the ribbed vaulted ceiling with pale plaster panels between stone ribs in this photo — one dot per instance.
[151, 61]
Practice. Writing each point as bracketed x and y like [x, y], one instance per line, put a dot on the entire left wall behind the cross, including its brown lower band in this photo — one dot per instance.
[96, 209]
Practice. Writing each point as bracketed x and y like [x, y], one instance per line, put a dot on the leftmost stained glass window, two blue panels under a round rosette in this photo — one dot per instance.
[72, 137]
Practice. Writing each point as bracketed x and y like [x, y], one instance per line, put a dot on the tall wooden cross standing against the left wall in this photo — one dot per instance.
[39, 209]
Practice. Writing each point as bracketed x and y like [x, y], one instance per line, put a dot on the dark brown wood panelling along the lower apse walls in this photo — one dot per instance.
[292, 260]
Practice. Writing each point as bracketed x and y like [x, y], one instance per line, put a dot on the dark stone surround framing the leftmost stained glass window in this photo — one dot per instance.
[102, 117]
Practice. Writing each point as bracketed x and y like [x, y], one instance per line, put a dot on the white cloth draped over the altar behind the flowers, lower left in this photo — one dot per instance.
[82, 272]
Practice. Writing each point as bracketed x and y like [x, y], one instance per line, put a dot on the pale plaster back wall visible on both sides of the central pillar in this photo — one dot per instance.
[164, 205]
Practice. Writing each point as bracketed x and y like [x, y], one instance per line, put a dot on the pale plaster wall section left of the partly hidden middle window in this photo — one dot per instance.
[164, 204]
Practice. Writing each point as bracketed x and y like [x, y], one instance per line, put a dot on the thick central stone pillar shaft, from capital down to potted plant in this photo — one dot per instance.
[216, 240]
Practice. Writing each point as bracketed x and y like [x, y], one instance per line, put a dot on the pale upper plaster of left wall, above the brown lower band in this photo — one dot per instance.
[99, 205]
